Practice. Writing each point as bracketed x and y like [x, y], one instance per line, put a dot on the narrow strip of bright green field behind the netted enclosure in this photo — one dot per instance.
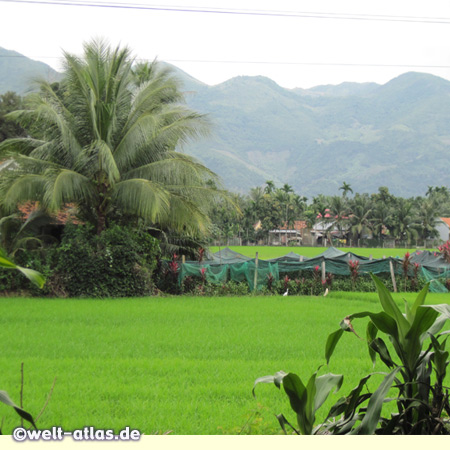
[265, 252]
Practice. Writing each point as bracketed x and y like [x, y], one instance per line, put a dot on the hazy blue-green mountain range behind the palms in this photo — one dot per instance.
[368, 135]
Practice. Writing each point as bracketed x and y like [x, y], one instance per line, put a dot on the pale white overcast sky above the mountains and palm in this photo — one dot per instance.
[352, 40]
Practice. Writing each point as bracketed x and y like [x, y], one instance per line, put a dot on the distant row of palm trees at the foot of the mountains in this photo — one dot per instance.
[355, 216]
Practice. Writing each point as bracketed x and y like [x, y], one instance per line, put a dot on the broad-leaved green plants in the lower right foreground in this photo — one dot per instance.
[421, 404]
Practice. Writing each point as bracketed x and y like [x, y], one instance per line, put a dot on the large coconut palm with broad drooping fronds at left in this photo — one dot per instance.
[108, 141]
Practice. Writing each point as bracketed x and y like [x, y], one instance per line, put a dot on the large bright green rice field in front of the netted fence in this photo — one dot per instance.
[181, 364]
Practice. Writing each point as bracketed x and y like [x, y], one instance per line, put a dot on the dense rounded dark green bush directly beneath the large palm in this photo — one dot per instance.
[117, 263]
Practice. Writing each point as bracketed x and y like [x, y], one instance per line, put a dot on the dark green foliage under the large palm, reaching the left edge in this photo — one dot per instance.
[119, 262]
